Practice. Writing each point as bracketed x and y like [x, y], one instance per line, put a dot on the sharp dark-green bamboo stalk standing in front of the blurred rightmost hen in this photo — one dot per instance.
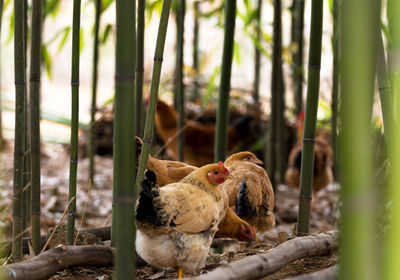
[307, 158]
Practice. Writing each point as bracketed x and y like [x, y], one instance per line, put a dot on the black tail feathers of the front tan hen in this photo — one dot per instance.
[146, 210]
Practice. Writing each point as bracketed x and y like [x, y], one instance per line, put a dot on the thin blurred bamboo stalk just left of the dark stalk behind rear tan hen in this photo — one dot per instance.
[257, 60]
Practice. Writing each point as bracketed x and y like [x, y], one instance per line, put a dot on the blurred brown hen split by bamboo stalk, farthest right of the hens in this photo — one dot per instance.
[323, 158]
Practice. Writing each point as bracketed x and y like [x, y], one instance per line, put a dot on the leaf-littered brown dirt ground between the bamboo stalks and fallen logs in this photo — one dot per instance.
[94, 210]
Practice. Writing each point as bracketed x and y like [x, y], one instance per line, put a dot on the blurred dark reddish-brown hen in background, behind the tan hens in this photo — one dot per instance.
[198, 150]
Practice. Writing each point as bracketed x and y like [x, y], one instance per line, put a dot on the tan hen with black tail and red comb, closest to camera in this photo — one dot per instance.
[176, 223]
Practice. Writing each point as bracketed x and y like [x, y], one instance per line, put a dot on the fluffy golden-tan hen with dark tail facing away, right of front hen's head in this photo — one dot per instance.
[249, 190]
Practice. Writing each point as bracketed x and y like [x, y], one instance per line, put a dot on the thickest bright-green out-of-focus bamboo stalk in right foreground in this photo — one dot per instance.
[359, 27]
